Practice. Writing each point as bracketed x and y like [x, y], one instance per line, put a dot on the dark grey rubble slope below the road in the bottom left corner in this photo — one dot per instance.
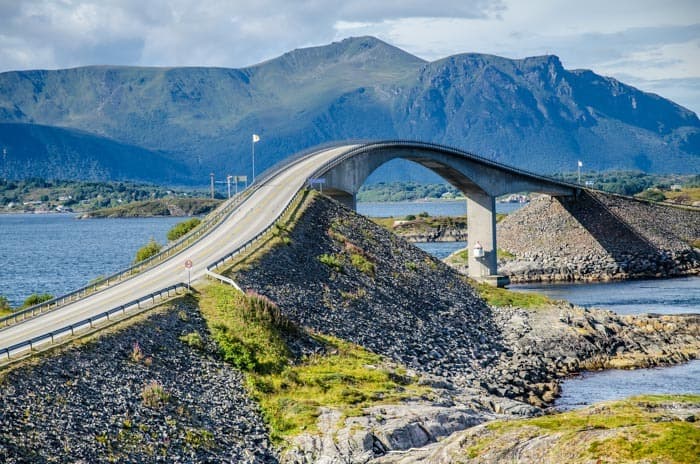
[140, 394]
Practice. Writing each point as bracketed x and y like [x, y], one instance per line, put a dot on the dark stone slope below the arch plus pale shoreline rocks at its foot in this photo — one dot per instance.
[342, 275]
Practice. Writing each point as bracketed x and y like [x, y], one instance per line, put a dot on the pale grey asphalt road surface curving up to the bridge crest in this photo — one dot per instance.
[248, 219]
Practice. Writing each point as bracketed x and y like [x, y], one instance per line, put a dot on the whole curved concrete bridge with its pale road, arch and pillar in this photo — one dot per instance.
[344, 169]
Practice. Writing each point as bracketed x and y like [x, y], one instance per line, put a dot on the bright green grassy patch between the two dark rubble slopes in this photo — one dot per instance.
[251, 333]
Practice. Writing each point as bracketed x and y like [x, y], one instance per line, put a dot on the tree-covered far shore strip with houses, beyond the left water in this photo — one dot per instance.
[41, 194]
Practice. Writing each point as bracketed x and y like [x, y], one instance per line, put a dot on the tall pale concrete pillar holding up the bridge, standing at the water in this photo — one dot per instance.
[481, 221]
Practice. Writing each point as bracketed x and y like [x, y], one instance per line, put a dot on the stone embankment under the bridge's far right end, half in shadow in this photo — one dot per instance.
[598, 237]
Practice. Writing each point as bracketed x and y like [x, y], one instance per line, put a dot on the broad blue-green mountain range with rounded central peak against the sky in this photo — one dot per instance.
[531, 113]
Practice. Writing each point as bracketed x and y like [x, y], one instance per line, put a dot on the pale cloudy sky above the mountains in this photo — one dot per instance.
[653, 45]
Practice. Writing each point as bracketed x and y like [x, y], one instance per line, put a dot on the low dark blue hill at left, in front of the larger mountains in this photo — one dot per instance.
[55, 153]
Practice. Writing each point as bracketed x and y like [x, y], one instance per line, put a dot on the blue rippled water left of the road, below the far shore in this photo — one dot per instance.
[57, 253]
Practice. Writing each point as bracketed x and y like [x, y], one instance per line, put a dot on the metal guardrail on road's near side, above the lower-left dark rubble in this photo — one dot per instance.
[70, 330]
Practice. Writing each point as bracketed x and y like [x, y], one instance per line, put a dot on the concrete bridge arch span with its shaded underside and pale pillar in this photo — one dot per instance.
[479, 179]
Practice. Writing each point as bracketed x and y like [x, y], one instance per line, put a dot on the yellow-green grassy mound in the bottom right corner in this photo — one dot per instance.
[638, 429]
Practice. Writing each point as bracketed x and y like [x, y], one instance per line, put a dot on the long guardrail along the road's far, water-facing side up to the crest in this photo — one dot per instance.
[202, 230]
